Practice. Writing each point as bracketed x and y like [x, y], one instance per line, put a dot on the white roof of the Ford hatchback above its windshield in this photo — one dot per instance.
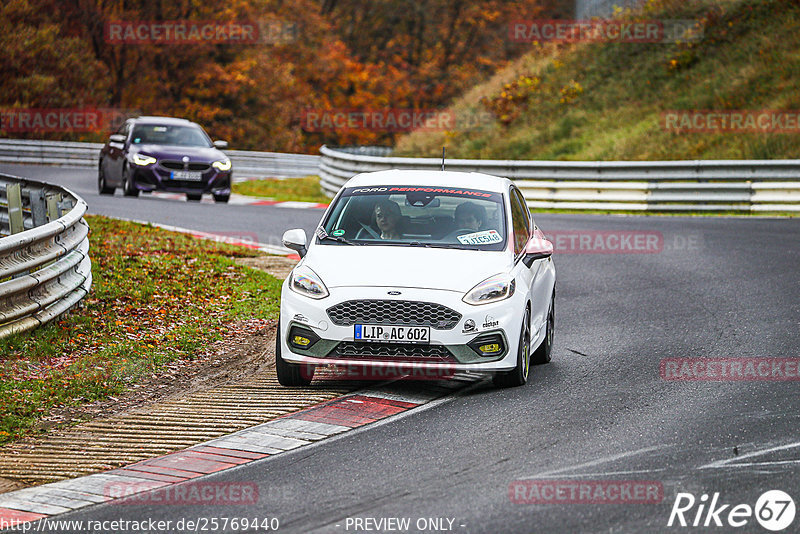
[467, 180]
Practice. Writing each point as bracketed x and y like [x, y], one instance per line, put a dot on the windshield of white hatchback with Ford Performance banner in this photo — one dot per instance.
[430, 216]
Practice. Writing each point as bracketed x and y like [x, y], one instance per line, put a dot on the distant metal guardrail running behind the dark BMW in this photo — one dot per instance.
[246, 164]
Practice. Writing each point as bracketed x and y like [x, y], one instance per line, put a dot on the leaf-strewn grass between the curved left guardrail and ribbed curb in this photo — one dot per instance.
[157, 296]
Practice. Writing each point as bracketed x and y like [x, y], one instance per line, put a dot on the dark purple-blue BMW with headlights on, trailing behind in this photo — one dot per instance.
[164, 154]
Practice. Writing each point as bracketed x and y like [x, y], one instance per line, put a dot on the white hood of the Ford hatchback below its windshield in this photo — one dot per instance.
[401, 266]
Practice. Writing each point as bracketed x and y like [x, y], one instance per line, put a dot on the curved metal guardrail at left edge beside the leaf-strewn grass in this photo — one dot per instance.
[45, 268]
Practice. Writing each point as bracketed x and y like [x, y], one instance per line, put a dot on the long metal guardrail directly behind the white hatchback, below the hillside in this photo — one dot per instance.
[677, 186]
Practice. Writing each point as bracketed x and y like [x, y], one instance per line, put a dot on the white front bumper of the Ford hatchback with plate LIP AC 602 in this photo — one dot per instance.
[449, 349]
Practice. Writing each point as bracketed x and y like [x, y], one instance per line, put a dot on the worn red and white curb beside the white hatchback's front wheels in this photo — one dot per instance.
[286, 433]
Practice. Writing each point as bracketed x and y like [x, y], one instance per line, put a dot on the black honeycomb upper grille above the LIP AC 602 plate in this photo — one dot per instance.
[394, 312]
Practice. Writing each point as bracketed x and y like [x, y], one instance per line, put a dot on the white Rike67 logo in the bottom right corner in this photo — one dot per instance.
[774, 510]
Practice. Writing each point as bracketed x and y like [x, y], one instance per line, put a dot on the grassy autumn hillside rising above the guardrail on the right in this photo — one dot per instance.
[604, 101]
